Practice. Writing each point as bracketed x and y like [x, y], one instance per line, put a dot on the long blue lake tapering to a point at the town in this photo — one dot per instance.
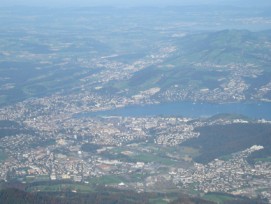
[189, 109]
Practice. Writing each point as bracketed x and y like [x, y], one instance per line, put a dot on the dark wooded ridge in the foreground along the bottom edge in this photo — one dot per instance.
[102, 196]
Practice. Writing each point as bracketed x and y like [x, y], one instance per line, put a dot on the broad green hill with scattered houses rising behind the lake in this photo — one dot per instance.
[210, 61]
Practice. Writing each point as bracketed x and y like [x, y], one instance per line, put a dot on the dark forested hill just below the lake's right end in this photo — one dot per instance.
[219, 140]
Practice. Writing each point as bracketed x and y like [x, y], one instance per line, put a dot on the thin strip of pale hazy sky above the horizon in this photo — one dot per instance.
[81, 3]
